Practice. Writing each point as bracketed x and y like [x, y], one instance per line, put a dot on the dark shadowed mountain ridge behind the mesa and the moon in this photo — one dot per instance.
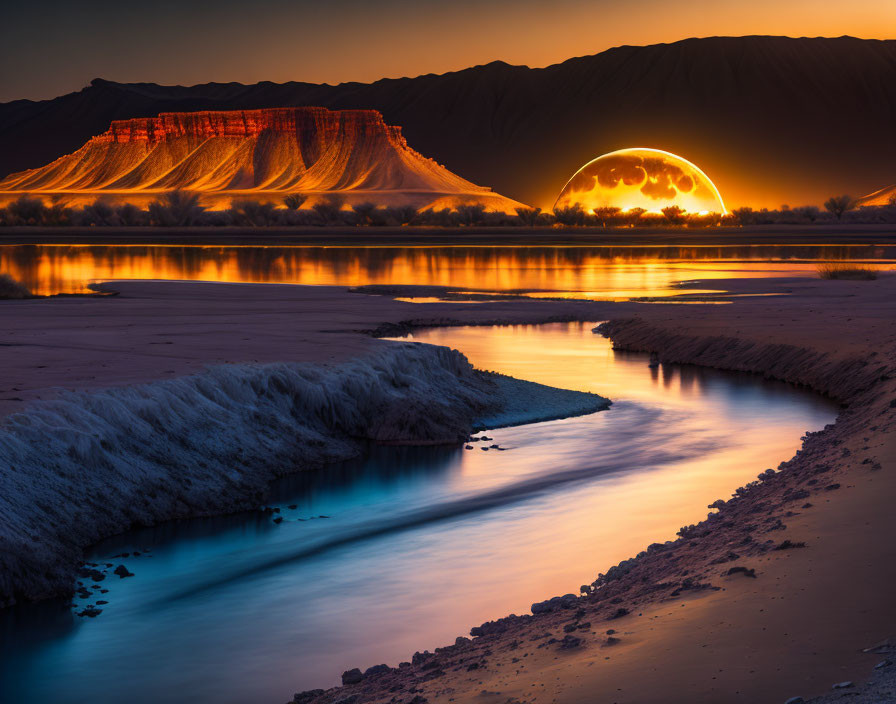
[770, 119]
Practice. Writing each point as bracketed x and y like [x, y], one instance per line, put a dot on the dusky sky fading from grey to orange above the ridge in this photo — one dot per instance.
[52, 47]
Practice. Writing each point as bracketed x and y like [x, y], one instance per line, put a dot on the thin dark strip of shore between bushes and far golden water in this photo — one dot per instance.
[456, 236]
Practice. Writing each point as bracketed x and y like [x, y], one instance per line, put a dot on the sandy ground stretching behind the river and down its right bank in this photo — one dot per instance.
[688, 634]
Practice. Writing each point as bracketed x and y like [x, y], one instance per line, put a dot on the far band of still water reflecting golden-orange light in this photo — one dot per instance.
[607, 273]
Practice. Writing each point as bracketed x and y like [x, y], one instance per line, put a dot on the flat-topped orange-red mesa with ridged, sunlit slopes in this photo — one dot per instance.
[278, 150]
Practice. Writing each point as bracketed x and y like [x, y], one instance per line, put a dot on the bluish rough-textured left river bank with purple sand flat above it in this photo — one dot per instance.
[116, 422]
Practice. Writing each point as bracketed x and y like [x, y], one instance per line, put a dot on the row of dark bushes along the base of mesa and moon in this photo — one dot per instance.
[184, 209]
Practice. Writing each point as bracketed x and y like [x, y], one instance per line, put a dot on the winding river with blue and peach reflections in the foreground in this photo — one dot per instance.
[385, 555]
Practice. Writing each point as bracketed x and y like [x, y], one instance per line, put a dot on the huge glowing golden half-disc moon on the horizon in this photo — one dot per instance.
[641, 178]
